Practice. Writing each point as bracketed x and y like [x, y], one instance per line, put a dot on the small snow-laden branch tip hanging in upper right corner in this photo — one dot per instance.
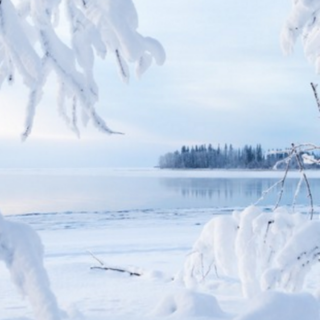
[304, 21]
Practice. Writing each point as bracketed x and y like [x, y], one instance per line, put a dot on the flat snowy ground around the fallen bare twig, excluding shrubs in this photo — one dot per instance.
[153, 242]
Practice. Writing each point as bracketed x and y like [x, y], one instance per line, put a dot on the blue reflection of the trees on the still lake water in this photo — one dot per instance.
[236, 191]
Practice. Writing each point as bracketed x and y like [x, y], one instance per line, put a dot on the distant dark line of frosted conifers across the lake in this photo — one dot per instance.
[226, 157]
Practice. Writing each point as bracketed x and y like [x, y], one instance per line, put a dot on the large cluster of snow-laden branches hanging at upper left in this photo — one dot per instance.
[30, 43]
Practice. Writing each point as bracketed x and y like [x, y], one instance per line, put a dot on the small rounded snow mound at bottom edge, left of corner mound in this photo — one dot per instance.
[190, 304]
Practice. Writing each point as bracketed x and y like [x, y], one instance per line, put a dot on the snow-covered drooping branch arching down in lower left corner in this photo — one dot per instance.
[22, 251]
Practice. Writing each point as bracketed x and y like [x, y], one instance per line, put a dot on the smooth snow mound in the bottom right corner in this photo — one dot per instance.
[282, 306]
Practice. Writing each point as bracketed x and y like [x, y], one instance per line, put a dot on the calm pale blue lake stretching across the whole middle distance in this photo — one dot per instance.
[101, 190]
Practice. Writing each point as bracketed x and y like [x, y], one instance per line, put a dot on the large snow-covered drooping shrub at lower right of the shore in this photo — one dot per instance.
[265, 250]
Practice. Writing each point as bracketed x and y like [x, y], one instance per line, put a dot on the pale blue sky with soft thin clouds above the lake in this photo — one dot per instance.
[225, 81]
